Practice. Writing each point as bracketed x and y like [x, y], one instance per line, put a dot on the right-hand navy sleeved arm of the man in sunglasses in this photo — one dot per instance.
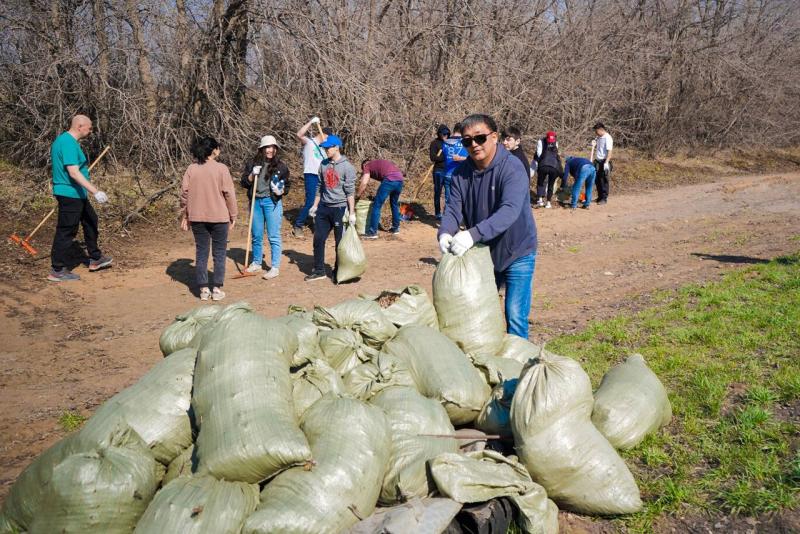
[514, 185]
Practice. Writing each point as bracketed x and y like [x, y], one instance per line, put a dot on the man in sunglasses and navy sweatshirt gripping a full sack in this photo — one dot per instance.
[490, 196]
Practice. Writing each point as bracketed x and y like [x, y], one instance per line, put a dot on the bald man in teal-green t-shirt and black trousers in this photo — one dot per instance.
[71, 183]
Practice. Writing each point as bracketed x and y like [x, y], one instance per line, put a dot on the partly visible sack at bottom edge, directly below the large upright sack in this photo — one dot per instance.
[199, 505]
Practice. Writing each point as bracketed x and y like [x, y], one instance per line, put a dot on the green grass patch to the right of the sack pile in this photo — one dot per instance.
[729, 354]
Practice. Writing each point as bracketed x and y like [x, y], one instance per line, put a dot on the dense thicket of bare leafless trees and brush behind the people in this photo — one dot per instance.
[662, 74]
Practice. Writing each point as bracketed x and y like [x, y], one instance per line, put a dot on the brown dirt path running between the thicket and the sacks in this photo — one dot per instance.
[71, 346]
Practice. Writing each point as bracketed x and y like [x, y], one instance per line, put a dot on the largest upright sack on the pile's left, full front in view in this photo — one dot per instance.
[242, 398]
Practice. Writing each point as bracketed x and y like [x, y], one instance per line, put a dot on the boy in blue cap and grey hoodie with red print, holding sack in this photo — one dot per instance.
[337, 185]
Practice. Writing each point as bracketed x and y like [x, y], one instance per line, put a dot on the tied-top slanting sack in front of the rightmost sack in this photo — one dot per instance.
[557, 442]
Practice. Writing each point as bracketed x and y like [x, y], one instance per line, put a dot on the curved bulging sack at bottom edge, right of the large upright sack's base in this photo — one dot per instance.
[350, 441]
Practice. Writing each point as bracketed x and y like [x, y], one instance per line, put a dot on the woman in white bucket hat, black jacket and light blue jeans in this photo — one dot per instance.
[270, 176]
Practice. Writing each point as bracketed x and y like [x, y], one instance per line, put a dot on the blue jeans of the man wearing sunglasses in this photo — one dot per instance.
[518, 279]
